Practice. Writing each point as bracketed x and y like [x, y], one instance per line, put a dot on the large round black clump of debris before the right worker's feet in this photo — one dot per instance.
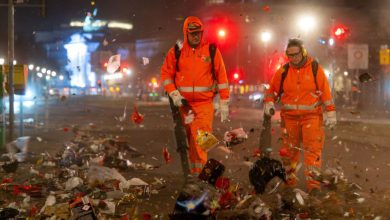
[263, 171]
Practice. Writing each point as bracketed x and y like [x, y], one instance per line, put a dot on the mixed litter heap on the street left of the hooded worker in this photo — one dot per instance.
[80, 182]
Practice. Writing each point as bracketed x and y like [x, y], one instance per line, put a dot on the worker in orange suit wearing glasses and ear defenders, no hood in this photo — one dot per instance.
[302, 95]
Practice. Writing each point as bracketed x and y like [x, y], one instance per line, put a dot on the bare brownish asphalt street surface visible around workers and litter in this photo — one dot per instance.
[359, 148]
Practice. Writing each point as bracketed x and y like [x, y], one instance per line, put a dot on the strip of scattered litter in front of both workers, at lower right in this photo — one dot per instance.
[213, 196]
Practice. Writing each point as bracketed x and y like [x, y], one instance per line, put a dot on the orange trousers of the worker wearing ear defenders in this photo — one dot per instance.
[308, 130]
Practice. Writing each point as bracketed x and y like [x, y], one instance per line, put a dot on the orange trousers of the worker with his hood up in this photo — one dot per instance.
[204, 113]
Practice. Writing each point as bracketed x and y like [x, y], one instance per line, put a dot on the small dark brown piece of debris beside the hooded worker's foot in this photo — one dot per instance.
[212, 171]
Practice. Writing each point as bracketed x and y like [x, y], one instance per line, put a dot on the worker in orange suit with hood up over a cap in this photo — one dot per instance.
[193, 81]
